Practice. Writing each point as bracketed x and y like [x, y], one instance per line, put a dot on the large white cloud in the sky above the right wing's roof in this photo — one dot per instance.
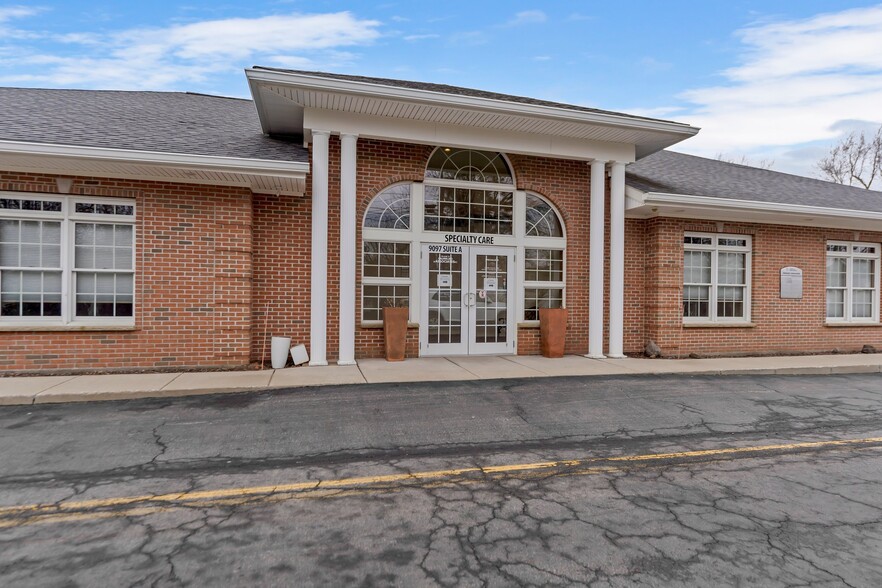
[797, 82]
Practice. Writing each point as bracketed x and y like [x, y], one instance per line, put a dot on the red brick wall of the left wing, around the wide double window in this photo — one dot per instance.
[192, 288]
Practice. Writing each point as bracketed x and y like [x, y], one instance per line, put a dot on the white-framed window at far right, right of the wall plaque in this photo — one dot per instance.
[852, 282]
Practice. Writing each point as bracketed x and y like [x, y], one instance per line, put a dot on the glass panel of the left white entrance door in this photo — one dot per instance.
[445, 298]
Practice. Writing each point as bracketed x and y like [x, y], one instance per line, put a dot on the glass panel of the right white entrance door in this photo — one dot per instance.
[491, 298]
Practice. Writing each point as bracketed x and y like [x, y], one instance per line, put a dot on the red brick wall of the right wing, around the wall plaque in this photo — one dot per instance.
[780, 325]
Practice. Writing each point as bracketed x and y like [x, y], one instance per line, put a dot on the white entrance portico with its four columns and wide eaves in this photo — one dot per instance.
[299, 103]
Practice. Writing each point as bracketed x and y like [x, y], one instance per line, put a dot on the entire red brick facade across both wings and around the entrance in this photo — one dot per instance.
[219, 271]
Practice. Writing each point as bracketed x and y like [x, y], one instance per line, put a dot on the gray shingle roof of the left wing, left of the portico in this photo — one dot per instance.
[167, 122]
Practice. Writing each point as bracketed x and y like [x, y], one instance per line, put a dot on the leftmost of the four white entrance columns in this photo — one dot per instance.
[318, 301]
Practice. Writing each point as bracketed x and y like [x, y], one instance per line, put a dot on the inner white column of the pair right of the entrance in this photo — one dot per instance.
[595, 262]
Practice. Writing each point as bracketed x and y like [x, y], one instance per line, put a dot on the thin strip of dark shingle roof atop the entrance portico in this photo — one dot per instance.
[456, 91]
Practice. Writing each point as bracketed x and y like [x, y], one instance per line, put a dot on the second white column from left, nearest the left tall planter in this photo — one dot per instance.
[347, 248]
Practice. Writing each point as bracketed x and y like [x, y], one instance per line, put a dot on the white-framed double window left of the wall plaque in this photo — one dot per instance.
[716, 278]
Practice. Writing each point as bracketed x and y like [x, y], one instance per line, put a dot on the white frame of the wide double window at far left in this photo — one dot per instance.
[68, 217]
